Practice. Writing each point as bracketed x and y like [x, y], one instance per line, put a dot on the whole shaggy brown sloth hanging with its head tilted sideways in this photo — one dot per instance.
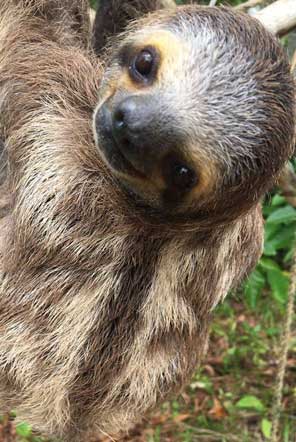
[130, 201]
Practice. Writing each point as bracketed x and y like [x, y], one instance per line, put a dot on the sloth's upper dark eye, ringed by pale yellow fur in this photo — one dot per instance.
[143, 65]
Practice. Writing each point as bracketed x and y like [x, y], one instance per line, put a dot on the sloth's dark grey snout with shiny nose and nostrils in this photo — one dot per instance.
[128, 133]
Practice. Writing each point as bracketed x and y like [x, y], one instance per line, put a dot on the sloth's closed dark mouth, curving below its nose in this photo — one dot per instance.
[111, 150]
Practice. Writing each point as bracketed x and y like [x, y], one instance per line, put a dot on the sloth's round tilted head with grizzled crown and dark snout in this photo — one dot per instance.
[196, 111]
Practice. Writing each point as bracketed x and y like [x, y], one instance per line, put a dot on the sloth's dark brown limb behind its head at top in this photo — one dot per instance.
[114, 15]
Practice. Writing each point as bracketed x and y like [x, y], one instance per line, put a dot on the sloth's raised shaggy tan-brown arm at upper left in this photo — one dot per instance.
[43, 69]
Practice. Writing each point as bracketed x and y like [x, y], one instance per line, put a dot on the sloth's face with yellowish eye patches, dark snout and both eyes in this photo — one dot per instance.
[137, 128]
